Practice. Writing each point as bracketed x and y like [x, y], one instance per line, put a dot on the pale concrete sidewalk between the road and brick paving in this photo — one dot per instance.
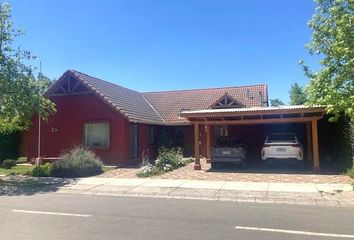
[262, 192]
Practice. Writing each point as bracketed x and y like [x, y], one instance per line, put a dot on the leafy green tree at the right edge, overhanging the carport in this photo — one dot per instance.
[332, 28]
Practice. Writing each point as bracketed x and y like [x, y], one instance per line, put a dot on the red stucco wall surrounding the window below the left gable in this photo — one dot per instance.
[72, 113]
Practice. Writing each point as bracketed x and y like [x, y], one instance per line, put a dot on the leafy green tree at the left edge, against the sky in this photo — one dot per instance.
[20, 92]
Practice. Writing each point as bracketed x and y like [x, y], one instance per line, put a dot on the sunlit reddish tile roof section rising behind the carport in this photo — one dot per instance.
[170, 103]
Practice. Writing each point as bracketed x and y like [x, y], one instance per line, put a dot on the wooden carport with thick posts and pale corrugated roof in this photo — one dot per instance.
[252, 116]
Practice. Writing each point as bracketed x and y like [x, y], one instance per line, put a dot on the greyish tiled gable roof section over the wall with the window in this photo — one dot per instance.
[128, 102]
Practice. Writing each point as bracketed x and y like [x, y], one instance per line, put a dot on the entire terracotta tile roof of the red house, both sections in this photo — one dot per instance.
[163, 108]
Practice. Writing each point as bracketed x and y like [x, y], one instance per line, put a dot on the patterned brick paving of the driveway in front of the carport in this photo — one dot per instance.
[207, 173]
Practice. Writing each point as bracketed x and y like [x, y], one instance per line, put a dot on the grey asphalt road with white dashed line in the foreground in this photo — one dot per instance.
[70, 216]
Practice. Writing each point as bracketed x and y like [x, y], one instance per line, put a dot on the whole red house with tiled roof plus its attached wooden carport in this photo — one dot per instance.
[123, 126]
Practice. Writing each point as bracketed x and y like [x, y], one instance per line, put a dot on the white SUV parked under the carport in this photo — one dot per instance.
[282, 146]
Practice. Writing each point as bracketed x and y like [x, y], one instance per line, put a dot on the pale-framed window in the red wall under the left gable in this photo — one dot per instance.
[97, 135]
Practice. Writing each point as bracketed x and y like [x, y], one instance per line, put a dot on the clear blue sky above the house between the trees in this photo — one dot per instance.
[149, 45]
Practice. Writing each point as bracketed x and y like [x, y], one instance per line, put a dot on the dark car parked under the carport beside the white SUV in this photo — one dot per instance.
[229, 150]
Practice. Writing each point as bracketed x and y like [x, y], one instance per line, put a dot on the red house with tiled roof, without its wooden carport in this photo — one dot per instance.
[121, 124]
